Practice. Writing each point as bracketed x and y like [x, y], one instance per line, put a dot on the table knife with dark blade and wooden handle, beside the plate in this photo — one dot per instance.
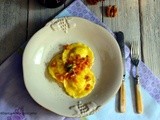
[122, 92]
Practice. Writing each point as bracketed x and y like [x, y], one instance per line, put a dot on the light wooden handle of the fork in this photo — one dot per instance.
[139, 103]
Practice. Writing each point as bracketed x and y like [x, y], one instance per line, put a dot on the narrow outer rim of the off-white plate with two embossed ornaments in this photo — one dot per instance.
[53, 26]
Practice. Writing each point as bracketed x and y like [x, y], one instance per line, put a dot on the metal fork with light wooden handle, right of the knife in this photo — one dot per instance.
[135, 62]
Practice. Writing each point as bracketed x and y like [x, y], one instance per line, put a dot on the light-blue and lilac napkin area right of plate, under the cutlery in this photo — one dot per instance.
[150, 93]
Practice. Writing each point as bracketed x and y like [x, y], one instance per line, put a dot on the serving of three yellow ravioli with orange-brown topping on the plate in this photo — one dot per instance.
[72, 68]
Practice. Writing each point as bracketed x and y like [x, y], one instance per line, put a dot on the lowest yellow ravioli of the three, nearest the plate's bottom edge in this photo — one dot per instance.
[82, 85]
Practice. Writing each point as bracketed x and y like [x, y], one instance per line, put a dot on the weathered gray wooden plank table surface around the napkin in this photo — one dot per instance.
[138, 19]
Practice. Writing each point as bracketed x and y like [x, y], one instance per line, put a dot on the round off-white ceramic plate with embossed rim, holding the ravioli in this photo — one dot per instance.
[48, 41]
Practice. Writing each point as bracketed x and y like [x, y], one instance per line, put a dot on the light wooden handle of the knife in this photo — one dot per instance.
[122, 97]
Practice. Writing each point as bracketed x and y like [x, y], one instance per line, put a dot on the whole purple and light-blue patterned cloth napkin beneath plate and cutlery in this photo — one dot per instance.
[16, 103]
